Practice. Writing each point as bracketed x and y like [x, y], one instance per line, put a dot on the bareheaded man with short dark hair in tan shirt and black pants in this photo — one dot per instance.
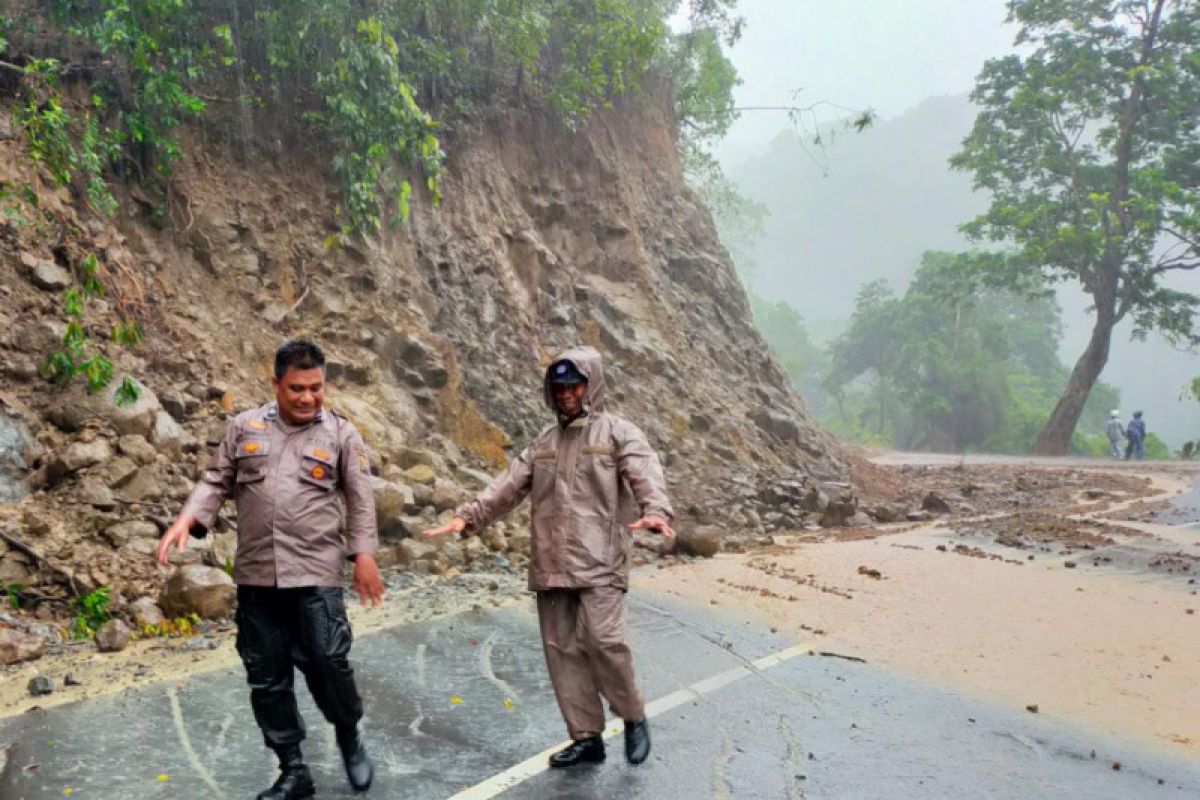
[289, 466]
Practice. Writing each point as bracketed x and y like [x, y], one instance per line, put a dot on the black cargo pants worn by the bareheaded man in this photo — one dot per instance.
[283, 629]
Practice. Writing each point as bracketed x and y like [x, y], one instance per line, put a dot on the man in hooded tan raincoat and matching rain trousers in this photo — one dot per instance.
[580, 473]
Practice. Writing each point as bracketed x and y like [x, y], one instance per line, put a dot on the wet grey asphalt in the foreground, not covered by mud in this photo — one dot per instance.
[439, 724]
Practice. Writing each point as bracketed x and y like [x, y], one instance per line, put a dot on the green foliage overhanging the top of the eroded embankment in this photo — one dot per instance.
[377, 81]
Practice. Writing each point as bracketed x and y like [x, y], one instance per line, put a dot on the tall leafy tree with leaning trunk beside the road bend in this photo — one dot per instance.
[1089, 145]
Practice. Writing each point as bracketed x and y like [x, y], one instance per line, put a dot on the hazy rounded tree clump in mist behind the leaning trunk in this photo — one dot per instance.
[952, 365]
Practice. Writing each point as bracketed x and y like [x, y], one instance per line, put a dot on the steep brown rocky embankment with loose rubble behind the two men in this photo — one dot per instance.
[437, 334]
